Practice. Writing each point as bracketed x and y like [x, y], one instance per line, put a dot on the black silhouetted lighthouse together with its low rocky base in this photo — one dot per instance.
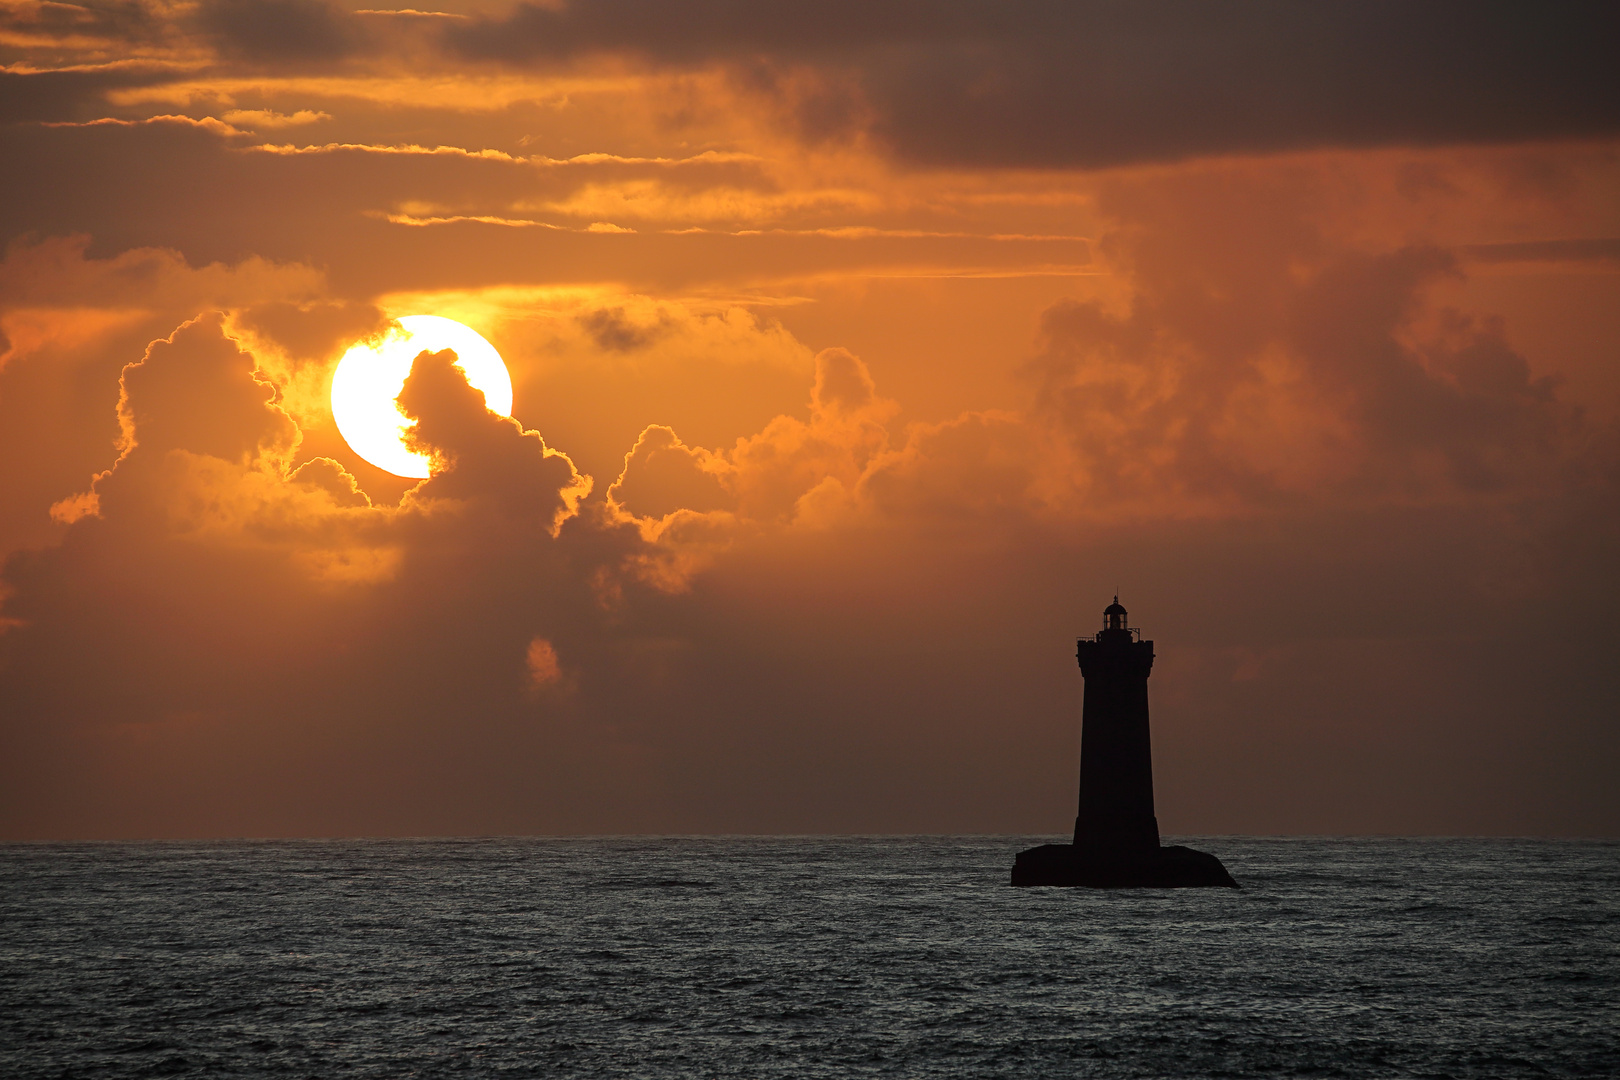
[1117, 835]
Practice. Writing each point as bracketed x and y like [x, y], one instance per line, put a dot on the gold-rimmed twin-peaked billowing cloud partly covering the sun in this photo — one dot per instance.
[208, 457]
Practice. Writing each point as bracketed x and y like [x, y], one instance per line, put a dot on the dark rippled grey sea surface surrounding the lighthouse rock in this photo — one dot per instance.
[804, 958]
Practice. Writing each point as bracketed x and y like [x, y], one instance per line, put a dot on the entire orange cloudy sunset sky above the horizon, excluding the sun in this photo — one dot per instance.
[861, 352]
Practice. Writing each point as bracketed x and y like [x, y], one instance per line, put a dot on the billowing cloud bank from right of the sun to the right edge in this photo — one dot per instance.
[1242, 362]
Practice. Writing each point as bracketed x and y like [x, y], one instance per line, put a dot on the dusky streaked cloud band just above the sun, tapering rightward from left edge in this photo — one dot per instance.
[202, 190]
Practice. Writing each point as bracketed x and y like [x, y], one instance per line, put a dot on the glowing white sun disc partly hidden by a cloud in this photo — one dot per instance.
[372, 375]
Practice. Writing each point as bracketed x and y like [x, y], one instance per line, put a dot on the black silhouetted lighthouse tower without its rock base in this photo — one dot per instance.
[1117, 755]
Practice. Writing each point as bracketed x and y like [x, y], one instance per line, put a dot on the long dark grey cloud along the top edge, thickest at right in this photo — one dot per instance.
[1107, 83]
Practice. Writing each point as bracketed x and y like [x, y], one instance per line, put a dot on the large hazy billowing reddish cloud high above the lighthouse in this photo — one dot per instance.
[1298, 368]
